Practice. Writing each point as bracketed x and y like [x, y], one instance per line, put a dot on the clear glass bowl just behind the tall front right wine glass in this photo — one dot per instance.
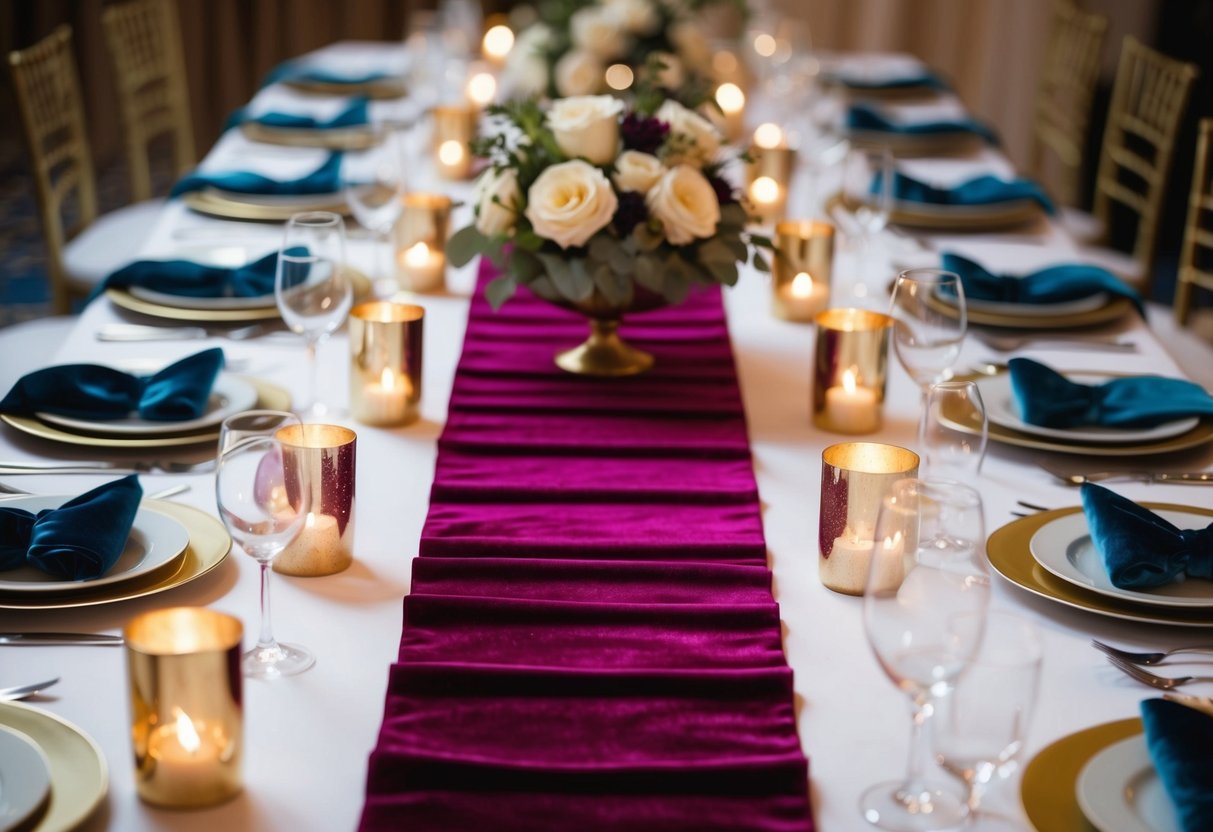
[954, 431]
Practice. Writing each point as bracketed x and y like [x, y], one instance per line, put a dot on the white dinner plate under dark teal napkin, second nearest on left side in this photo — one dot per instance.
[156, 540]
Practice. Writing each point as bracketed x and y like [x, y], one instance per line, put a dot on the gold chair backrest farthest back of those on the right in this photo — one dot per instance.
[1064, 98]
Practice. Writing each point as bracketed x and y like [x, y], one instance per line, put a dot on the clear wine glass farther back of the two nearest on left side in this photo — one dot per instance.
[312, 286]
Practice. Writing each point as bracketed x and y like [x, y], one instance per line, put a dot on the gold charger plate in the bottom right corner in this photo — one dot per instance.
[1047, 789]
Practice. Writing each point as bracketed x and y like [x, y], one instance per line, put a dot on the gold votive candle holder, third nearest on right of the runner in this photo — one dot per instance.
[802, 269]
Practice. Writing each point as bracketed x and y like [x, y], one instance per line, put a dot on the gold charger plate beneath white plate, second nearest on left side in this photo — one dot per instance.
[209, 545]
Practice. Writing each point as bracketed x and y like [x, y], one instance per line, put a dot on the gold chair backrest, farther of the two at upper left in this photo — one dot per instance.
[145, 47]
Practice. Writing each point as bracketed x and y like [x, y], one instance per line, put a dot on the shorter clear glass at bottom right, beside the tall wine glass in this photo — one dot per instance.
[978, 731]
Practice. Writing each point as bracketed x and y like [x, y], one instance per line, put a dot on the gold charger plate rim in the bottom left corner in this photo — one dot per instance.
[79, 776]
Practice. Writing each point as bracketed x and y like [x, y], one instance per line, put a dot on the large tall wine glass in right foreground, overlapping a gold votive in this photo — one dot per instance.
[924, 612]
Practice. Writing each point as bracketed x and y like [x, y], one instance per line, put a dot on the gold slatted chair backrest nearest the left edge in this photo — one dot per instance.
[48, 89]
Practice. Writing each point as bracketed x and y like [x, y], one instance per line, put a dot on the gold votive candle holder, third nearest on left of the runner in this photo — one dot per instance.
[386, 356]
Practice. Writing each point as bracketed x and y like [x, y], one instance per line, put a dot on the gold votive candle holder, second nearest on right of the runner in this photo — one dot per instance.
[850, 371]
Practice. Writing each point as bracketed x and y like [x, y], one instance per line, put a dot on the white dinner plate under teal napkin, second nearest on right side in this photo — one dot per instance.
[1064, 548]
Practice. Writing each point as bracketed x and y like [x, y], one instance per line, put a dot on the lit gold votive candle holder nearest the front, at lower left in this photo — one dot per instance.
[187, 709]
